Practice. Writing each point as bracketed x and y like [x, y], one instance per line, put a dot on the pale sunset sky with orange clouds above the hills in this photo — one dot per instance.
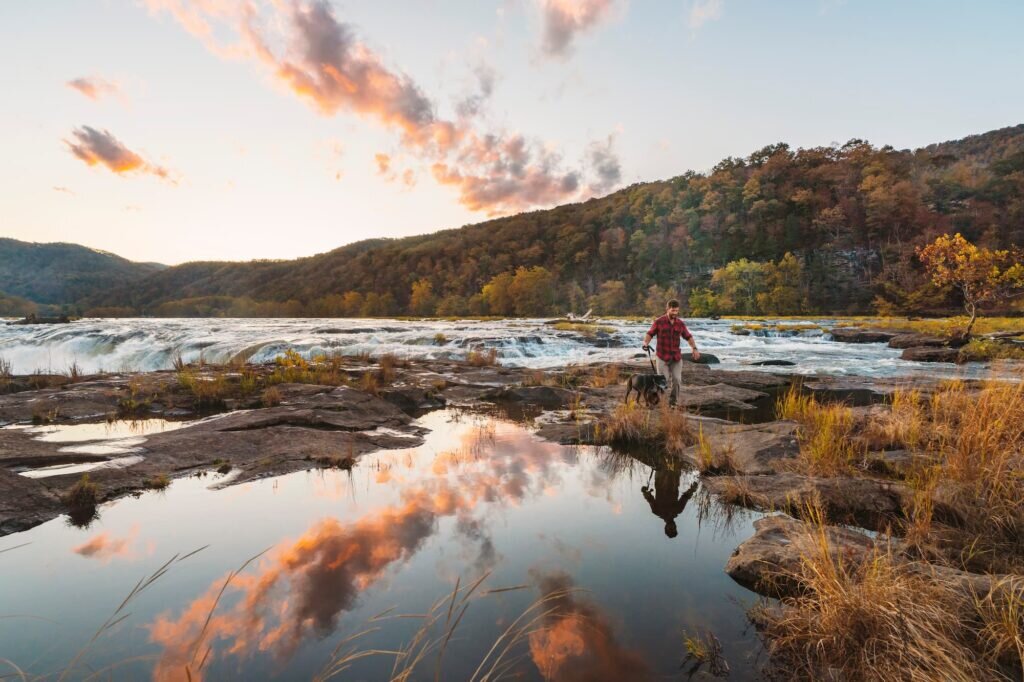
[179, 131]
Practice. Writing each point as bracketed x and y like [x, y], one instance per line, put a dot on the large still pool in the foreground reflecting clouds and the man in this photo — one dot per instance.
[630, 552]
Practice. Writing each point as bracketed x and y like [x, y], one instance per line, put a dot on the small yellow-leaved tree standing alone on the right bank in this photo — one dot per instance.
[982, 276]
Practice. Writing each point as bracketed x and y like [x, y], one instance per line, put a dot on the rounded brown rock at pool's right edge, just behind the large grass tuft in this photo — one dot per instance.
[769, 562]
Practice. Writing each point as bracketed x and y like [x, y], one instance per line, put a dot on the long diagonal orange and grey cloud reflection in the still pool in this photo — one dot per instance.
[304, 587]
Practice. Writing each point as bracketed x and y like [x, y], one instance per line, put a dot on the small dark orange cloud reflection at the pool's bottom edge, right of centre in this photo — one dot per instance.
[578, 643]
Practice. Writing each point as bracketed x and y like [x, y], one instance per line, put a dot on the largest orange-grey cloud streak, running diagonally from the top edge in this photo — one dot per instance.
[322, 61]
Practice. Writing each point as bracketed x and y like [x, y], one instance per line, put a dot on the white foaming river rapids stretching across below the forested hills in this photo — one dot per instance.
[148, 345]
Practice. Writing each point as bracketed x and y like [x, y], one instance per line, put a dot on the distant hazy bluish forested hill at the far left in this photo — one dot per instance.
[59, 274]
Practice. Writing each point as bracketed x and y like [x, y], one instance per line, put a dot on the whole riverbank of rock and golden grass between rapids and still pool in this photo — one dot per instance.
[912, 461]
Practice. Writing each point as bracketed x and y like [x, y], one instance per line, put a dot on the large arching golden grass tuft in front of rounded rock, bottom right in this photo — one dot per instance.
[876, 619]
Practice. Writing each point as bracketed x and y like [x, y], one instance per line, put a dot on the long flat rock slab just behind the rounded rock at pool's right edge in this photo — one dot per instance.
[867, 502]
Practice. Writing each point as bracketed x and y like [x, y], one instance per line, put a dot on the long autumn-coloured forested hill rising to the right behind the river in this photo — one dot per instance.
[850, 216]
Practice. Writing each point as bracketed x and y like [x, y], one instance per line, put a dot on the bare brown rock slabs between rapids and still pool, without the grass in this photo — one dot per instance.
[746, 456]
